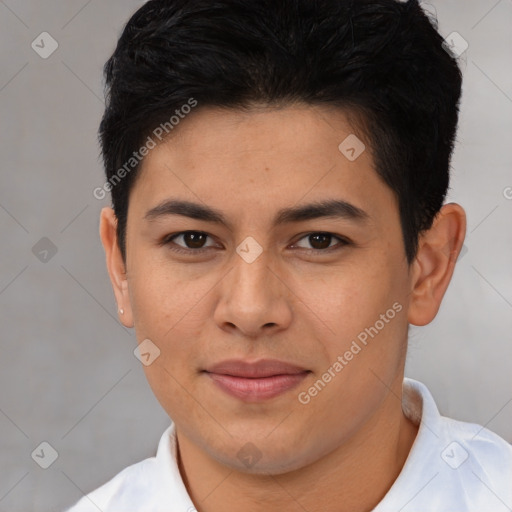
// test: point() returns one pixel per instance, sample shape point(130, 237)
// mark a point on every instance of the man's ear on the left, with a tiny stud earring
point(115, 265)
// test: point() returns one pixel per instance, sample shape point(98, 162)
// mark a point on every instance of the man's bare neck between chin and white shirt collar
point(354, 477)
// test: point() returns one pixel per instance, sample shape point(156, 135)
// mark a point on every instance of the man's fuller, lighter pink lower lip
point(256, 390)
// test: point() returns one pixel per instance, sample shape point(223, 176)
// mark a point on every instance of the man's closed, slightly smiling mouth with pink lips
point(256, 381)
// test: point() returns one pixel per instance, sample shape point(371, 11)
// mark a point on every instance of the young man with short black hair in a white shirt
point(278, 171)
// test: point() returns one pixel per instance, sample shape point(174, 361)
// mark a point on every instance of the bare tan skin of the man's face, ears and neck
point(343, 450)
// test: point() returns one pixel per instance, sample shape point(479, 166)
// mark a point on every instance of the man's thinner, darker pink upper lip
point(255, 369)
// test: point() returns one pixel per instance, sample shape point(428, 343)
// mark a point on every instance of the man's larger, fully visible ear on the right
point(433, 267)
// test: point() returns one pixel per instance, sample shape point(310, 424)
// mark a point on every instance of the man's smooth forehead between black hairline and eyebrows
point(263, 160)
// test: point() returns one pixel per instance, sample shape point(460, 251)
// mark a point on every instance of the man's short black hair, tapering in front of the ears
point(382, 60)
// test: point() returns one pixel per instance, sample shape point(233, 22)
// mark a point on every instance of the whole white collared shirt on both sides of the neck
point(453, 466)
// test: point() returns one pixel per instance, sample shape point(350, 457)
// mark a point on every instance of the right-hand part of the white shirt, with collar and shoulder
point(452, 465)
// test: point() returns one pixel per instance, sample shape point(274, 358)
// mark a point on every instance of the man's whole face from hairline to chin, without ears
point(278, 303)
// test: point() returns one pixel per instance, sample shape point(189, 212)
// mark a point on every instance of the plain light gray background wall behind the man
point(67, 371)
